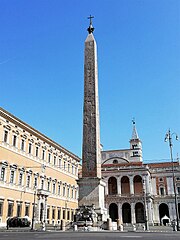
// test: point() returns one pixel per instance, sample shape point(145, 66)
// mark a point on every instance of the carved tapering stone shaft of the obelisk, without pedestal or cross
point(91, 136)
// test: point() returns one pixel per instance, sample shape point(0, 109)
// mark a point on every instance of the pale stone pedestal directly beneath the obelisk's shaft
point(91, 192)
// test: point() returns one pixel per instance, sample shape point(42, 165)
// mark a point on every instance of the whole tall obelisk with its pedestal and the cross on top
point(91, 186)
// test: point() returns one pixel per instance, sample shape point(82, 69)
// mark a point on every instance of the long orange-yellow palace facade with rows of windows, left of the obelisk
point(37, 176)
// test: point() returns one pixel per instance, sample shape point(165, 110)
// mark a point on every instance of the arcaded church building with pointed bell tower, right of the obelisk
point(137, 192)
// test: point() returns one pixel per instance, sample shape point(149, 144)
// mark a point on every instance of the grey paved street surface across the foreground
point(89, 235)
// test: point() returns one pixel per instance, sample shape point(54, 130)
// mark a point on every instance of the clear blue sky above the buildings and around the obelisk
point(41, 69)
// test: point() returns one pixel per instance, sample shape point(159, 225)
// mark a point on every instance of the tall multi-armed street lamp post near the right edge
point(168, 137)
